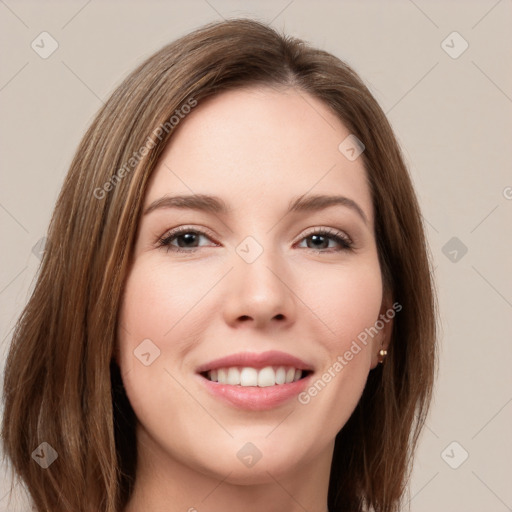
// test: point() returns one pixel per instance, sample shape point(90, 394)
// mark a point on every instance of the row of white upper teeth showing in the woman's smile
point(247, 376)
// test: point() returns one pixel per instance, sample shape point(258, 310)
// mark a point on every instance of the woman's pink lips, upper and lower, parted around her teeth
point(253, 397)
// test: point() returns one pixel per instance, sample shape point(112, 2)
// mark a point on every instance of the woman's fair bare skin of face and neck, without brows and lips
point(256, 148)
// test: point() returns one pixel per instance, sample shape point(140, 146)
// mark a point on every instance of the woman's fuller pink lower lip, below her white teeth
point(254, 398)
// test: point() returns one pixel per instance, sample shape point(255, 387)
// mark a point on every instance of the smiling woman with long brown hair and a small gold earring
point(235, 308)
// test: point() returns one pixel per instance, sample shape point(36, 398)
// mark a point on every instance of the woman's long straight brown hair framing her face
point(61, 385)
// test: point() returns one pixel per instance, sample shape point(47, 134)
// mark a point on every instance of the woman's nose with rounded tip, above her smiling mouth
point(259, 294)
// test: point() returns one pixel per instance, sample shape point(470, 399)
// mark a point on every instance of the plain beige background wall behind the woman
point(452, 116)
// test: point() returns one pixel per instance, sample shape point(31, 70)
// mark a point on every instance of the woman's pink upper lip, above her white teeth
point(255, 360)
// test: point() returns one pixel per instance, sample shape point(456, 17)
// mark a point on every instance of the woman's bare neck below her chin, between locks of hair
point(164, 484)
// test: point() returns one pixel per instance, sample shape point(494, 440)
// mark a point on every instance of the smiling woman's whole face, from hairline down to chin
point(261, 280)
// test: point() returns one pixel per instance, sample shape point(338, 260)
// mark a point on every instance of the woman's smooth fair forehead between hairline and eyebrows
point(257, 147)
